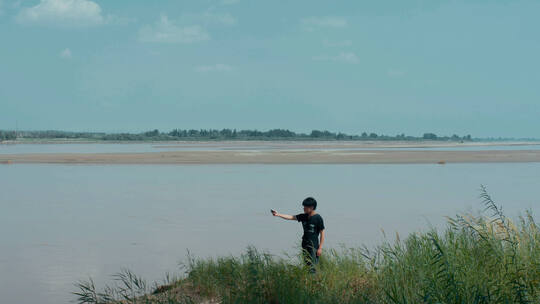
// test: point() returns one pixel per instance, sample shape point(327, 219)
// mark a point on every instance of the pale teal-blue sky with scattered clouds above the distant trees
point(391, 67)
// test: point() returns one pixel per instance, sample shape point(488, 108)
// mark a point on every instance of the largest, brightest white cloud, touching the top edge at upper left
point(63, 13)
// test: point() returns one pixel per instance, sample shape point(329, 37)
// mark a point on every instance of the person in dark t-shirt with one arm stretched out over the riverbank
point(313, 225)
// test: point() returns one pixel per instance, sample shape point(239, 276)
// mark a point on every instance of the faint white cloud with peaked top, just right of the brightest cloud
point(165, 31)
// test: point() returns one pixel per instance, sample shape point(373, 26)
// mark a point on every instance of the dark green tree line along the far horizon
point(223, 134)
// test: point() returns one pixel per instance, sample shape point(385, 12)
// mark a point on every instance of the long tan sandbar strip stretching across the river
point(279, 157)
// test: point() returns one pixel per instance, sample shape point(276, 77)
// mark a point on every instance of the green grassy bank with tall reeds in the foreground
point(485, 259)
